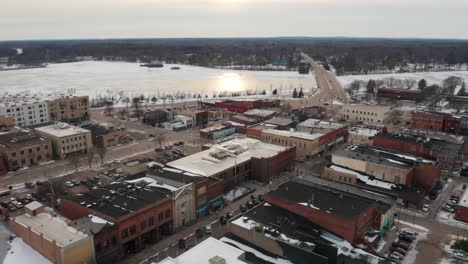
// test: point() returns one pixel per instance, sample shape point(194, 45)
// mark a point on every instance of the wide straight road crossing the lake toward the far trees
point(330, 87)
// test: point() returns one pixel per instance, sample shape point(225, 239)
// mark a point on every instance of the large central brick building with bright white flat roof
point(238, 160)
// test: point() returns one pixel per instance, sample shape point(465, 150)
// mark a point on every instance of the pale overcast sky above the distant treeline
point(65, 19)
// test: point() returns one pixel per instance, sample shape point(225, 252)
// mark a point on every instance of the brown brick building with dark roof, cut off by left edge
point(20, 149)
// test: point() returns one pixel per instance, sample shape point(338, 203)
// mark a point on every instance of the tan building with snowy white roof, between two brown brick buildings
point(66, 139)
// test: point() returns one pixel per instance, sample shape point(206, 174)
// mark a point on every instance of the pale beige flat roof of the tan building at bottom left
point(54, 228)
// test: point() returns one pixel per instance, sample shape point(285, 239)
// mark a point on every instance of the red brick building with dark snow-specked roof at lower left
point(138, 215)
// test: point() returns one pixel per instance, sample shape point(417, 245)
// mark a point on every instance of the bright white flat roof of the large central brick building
point(221, 157)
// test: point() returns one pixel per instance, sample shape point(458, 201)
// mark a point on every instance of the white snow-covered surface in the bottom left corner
point(21, 252)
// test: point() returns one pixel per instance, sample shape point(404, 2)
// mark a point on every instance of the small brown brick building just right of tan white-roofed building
point(105, 136)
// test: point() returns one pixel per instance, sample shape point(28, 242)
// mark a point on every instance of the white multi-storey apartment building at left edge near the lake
point(26, 112)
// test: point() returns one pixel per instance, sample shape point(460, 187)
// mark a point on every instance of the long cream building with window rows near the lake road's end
point(376, 114)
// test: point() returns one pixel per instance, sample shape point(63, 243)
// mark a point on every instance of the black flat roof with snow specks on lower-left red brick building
point(120, 198)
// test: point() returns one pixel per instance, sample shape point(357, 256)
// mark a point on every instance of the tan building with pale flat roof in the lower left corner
point(51, 236)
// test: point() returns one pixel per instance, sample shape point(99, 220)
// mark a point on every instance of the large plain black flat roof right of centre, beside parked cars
point(334, 202)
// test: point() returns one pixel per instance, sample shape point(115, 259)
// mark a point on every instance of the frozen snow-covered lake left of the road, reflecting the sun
point(96, 77)
